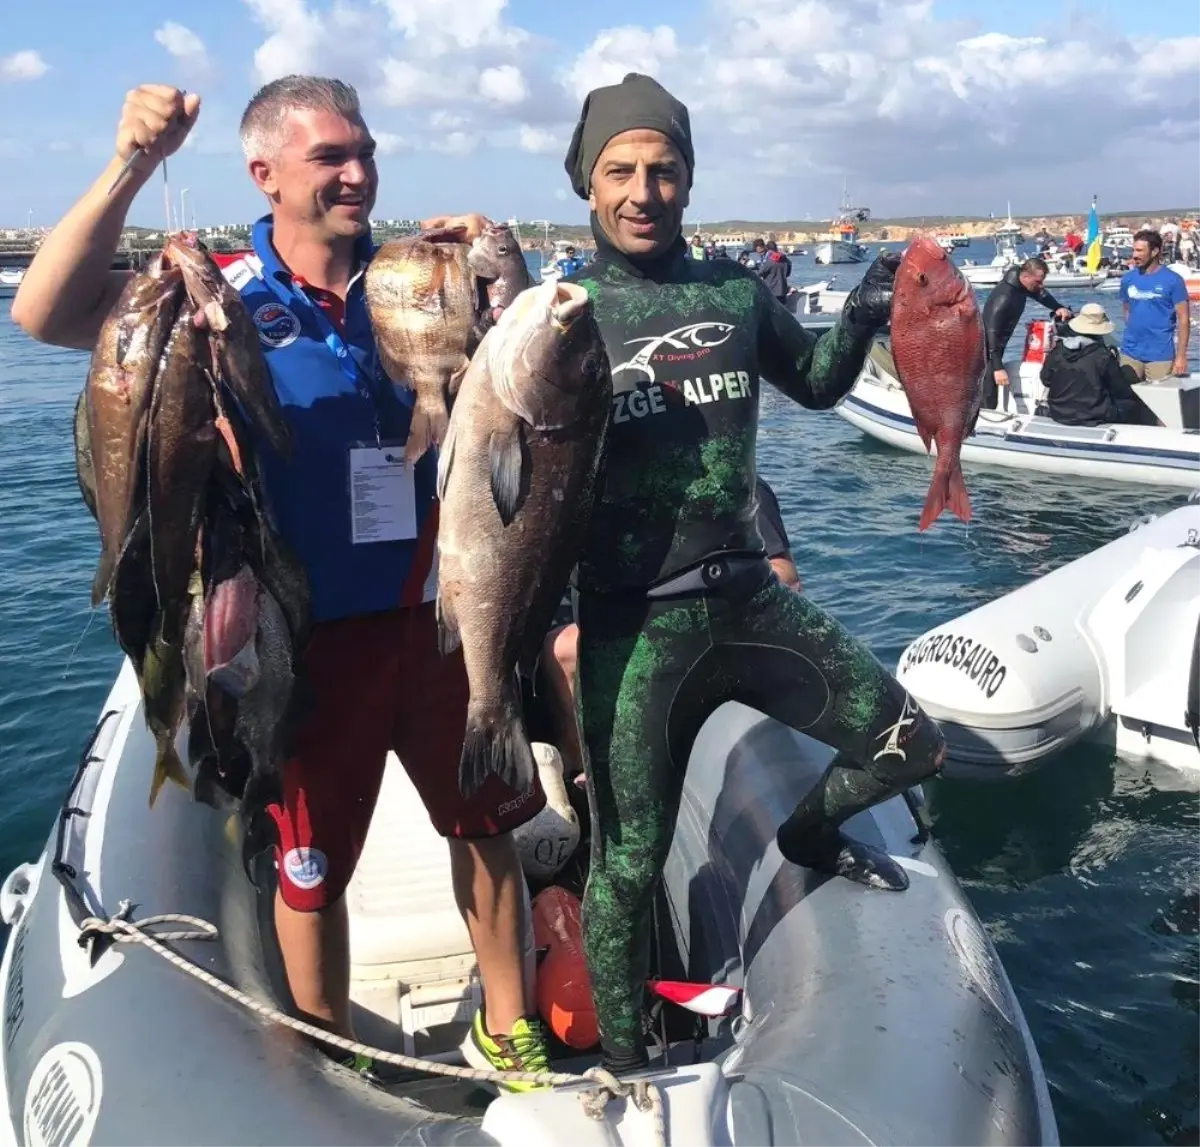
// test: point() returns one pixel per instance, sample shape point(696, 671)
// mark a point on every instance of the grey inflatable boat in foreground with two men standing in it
point(849, 1018)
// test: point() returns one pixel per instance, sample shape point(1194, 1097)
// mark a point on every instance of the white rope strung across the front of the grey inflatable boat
point(643, 1094)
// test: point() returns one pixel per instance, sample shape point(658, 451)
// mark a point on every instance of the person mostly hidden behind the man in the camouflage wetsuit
point(550, 705)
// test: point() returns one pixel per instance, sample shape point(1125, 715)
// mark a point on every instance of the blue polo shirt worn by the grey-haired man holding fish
point(333, 389)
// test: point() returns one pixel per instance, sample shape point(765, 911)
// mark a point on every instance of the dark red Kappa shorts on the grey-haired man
point(377, 683)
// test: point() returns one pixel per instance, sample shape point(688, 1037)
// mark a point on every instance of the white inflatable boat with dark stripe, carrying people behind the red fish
point(1016, 436)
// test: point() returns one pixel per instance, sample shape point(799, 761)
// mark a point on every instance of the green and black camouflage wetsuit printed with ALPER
point(680, 610)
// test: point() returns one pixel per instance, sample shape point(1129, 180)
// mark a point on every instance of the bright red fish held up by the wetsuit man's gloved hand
point(938, 346)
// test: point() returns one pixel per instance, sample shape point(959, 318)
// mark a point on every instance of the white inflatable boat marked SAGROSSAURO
point(1105, 648)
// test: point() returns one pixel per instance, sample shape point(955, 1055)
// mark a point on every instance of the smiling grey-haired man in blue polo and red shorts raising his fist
point(376, 678)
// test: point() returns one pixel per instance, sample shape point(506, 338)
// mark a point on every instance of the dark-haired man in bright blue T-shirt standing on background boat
point(1157, 322)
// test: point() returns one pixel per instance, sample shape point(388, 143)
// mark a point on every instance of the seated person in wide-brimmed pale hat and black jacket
point(1085, 383)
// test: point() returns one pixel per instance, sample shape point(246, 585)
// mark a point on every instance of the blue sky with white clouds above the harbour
point(922, 106)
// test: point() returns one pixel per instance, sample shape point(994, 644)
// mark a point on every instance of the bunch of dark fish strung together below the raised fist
point(205, 599)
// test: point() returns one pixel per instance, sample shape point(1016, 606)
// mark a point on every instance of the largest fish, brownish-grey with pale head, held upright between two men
point(518, 479)
